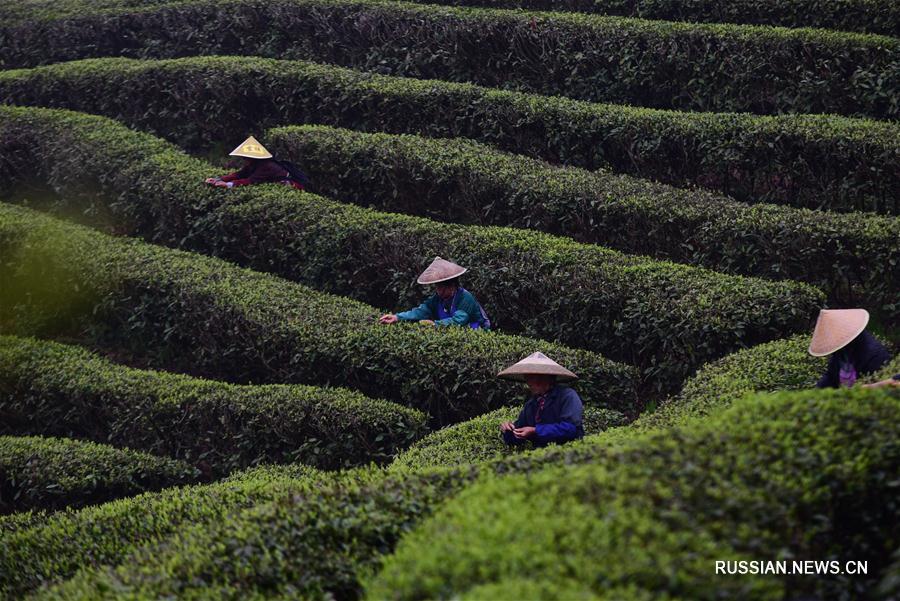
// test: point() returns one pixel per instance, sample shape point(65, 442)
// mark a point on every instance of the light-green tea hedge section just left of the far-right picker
point(778, 365)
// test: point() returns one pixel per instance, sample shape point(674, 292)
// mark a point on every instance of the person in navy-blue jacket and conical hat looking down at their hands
point(553, 413)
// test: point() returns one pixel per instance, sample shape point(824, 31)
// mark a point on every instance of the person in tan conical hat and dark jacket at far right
point(854, 352)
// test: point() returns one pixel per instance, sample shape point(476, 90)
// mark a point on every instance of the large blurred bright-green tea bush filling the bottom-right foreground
point(809, 475)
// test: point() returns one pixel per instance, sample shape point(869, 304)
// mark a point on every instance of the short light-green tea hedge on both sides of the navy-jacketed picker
point(479, 440)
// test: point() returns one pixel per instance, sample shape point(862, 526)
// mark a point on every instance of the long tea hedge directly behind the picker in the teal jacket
point(623, 306)
